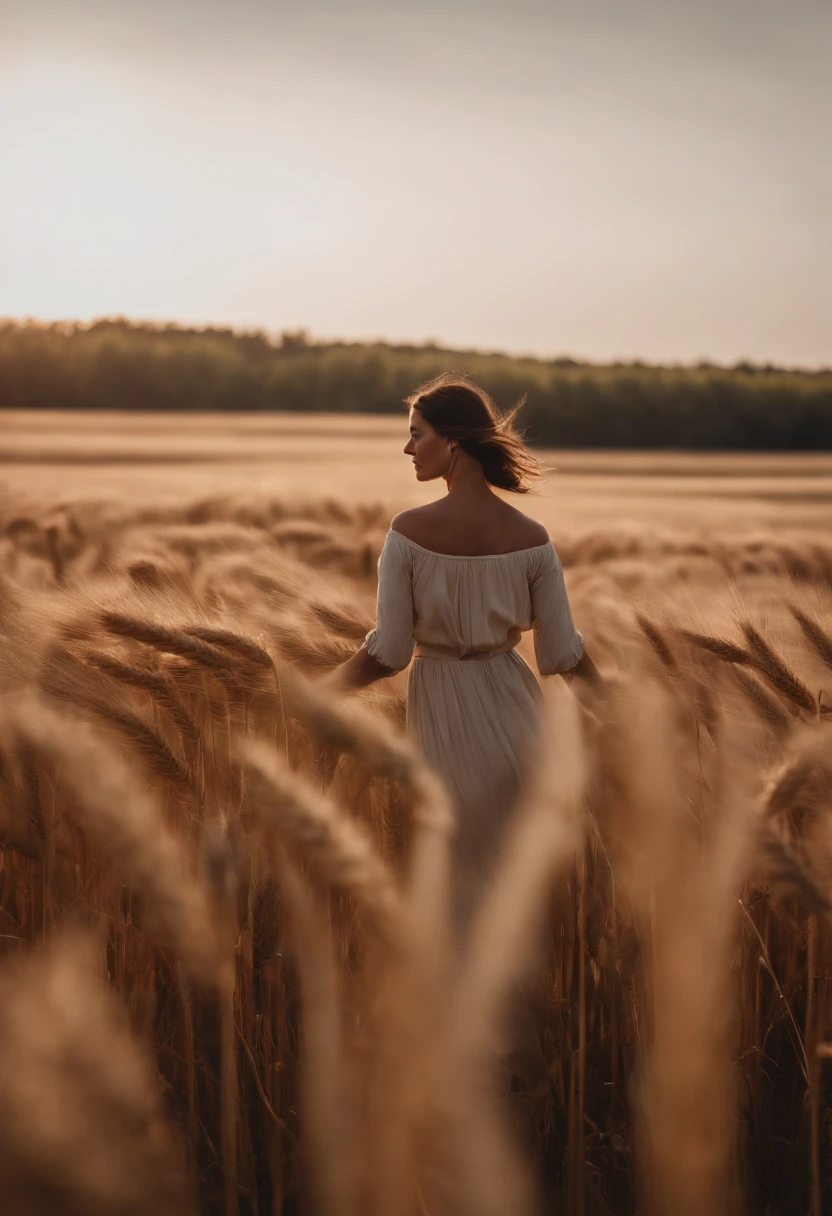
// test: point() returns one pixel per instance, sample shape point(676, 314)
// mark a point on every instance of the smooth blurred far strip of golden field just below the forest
point(359, 459)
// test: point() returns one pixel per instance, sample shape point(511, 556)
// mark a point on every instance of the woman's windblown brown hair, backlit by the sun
point(463, 412)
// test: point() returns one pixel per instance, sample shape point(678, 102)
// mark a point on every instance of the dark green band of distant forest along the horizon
point(121, 365)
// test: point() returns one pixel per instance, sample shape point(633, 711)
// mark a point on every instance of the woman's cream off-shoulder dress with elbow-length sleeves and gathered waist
point(474, 705)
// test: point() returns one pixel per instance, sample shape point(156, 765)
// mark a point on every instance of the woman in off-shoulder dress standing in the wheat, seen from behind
point(459, 582)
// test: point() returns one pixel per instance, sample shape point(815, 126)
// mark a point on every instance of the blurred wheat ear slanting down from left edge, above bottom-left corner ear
point(110, 803)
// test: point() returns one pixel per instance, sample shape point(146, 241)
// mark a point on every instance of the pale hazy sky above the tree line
point(599, 179)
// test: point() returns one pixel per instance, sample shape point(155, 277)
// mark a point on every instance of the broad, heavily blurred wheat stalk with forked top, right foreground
point(689, 899)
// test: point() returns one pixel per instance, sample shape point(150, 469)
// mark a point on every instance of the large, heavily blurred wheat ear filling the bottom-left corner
point(104, 1144)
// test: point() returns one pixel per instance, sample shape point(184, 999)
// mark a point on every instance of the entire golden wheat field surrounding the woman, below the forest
point(228, 977)
